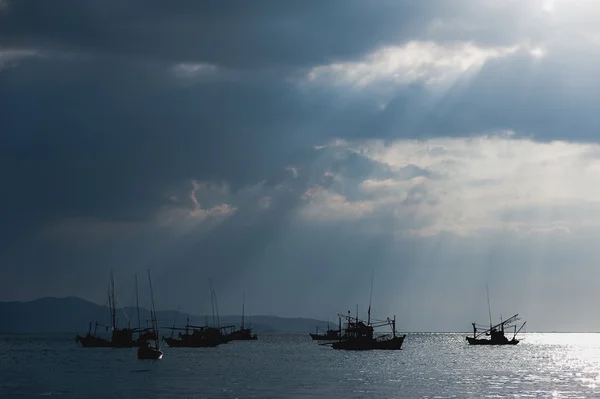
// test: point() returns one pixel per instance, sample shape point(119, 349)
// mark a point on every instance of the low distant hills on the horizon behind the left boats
point(72, 315)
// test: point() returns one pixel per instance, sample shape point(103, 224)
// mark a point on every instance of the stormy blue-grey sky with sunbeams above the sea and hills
point(288, 150)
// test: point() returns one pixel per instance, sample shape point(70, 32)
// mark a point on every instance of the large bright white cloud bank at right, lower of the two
point(467, 185)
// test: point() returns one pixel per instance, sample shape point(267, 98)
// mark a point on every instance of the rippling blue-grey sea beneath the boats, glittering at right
point(430, 365)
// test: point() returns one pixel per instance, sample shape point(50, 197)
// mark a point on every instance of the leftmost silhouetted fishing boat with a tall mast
point(120, 337)
